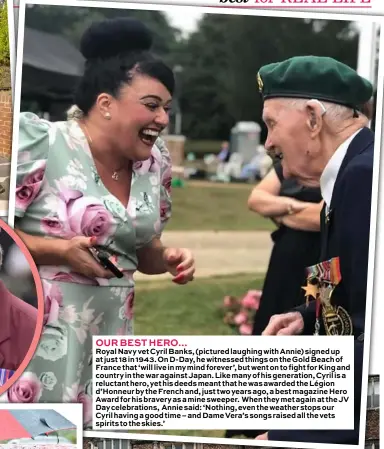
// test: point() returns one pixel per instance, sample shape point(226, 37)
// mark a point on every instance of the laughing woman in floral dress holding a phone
point(99, 180)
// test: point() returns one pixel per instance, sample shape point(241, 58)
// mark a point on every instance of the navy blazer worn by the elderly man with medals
point(345, 236)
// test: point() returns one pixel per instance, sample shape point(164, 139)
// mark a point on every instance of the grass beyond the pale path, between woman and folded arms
point(214, 207)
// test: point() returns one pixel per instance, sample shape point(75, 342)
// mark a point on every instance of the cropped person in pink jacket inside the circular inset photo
point(18, 324)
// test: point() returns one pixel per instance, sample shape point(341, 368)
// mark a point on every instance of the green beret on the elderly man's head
point(314, 77)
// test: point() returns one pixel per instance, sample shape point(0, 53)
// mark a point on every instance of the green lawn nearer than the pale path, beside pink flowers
point(163, 308)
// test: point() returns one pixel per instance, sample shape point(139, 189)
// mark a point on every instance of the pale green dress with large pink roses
point(59, 194)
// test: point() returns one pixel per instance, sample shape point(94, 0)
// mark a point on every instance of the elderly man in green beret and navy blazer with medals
point(312, 111)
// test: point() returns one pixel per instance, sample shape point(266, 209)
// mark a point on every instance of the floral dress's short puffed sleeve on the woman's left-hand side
point(31, 160)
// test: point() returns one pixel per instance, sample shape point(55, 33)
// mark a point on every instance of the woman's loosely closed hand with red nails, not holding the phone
point(180, 263)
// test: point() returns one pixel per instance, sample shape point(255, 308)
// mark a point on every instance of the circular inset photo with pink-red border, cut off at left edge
point(22, 307)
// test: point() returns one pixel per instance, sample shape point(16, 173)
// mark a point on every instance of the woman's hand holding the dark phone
point(75, 253)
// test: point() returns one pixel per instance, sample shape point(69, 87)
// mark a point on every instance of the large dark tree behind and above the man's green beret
point(222, 58)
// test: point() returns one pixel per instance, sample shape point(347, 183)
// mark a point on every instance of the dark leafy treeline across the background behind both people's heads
point(217, 85)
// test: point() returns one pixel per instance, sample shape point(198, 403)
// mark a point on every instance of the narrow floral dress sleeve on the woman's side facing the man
point(165, 184)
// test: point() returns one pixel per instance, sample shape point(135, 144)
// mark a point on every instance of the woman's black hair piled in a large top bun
point(115, 50)
